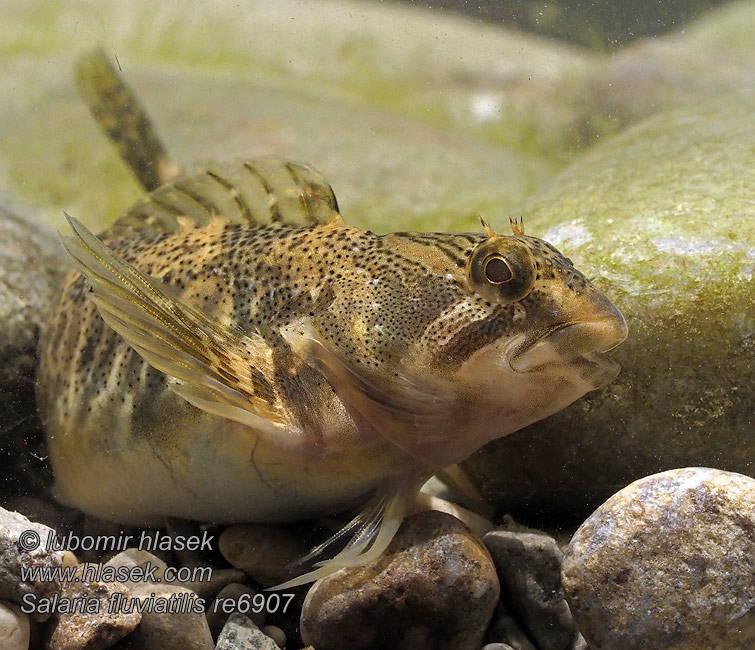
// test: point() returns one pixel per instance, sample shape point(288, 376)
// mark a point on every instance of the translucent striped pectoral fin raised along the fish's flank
point(217, 366)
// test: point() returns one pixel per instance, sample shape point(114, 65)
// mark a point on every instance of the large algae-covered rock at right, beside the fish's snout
point(663, 218)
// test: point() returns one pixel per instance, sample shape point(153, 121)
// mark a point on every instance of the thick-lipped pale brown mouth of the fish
point(576, 343)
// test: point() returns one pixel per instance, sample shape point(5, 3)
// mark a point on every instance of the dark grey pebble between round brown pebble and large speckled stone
point(529, 567)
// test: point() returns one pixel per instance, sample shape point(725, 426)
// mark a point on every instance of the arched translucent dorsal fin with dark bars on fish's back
point(257, 191)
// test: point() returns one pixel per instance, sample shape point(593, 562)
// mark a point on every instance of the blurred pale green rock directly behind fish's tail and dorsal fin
point(389, 172)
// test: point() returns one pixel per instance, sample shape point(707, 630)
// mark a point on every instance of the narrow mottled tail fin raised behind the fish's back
point(115, 107)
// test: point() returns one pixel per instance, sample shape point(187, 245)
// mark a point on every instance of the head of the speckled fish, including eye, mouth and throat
point(521, 334)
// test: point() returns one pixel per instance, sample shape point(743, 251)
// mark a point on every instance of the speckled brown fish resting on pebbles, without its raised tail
point(208, 367)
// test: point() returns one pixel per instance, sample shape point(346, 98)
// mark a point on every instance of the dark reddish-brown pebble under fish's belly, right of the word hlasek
point(262, 551)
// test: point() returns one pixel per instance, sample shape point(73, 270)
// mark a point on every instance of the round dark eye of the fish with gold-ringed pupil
point(501, 269)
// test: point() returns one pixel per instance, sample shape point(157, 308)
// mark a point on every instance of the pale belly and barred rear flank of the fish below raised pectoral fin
point(125, 447)
